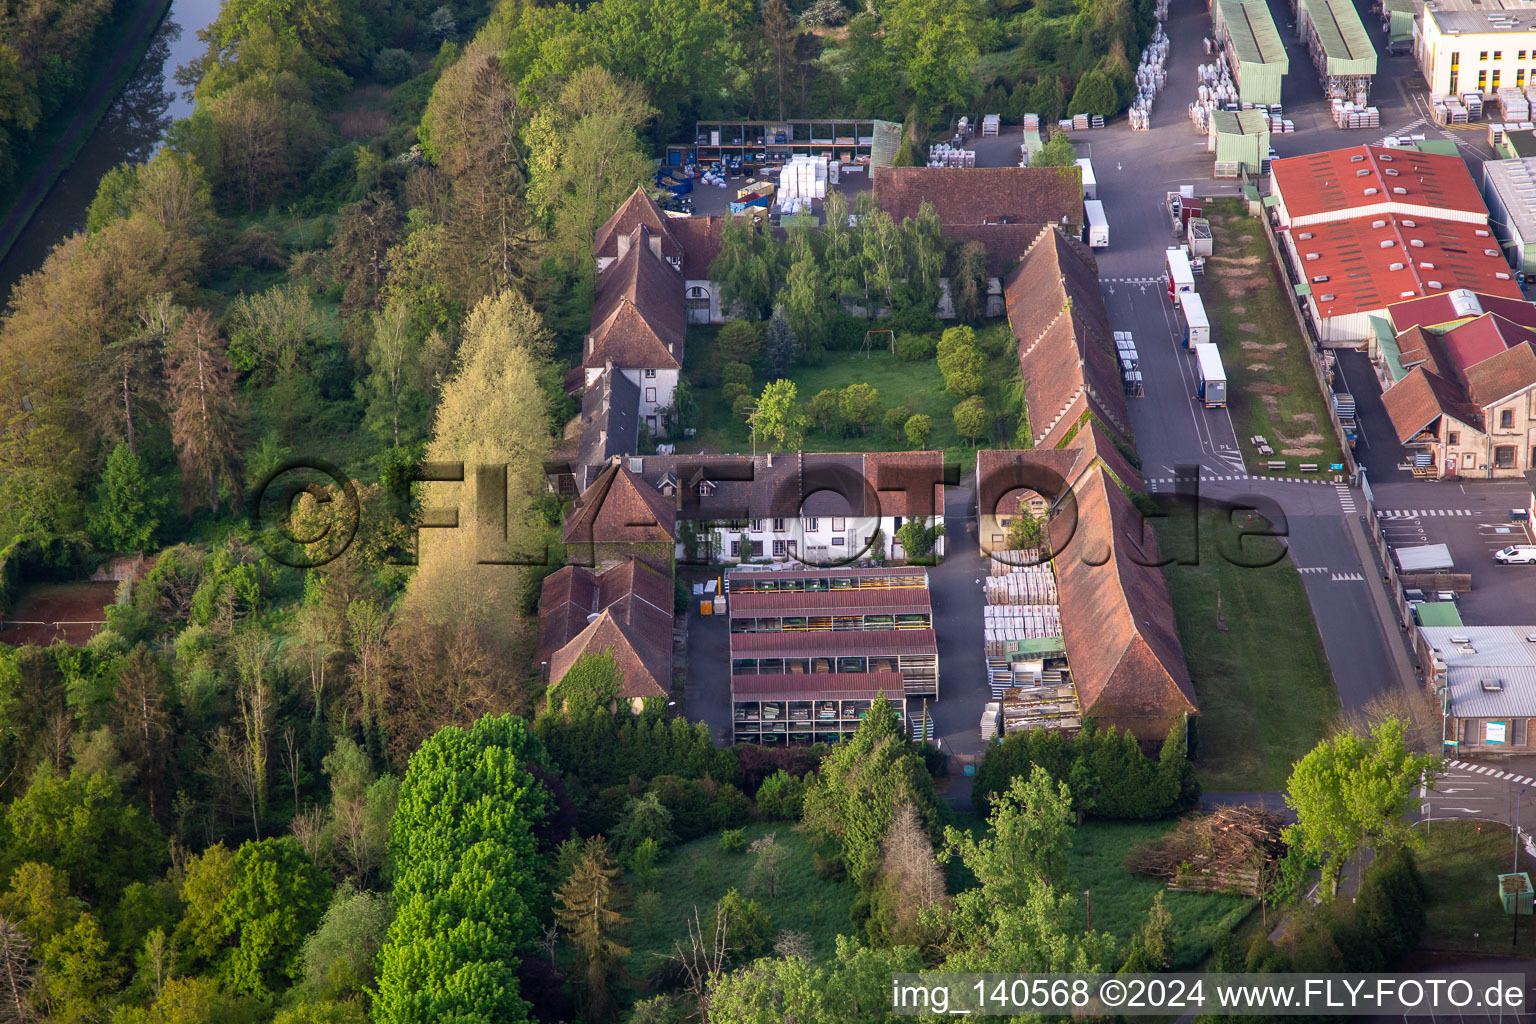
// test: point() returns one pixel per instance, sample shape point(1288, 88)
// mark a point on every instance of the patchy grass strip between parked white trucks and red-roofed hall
point(1271, 388)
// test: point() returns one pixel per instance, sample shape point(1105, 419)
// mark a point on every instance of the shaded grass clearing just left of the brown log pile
point(1121, 900)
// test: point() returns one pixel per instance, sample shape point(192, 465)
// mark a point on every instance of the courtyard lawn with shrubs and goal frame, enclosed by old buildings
point(918, 386)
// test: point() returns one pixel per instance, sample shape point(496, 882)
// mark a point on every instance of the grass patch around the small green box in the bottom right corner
point(1460, 870)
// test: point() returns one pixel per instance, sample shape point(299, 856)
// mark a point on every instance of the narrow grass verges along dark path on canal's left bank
point(42, 148)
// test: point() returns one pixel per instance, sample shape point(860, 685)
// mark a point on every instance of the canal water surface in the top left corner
point(131, 130)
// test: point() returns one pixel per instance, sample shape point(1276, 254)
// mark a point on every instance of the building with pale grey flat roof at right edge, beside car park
point(1486, 682)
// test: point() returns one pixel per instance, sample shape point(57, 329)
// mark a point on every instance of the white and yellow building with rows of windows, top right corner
point(1477, 45)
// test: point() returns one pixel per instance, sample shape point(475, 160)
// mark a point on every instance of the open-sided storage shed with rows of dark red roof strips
point(813, 649)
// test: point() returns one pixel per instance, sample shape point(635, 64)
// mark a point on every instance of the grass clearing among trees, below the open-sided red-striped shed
point(698, 874)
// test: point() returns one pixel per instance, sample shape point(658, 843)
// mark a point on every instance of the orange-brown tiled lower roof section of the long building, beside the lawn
point(1117, 619)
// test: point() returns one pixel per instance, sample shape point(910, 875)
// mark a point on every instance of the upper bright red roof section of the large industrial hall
point(1329, 183)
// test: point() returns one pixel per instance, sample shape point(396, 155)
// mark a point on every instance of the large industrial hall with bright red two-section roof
point(1369, 226)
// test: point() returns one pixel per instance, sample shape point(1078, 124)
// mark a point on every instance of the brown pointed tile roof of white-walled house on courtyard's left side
point(638, 320)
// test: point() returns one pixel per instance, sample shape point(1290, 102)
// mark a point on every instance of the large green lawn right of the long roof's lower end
point(1265, 687)
